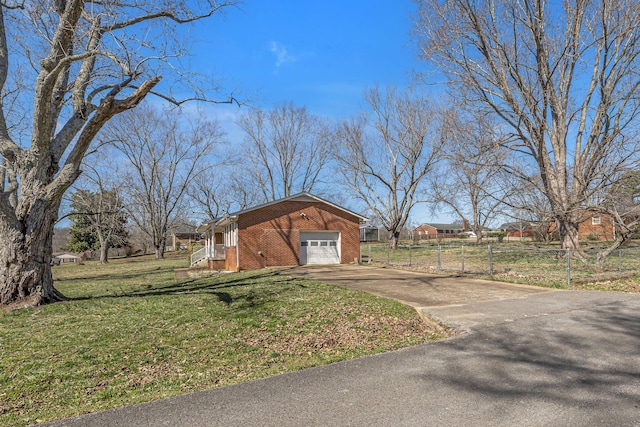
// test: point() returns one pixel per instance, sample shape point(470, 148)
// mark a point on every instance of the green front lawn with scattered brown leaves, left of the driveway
point(131, 334)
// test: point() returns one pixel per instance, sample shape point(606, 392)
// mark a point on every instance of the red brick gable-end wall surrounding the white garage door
point(270, 236)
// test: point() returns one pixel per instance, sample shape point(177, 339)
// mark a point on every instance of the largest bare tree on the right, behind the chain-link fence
point(561, 76)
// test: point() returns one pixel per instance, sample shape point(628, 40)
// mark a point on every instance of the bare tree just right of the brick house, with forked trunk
point(385, 156)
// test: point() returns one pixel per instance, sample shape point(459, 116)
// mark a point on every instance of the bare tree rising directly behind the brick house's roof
point(287, 149)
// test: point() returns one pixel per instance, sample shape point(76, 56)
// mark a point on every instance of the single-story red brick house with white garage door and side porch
point(297, 230)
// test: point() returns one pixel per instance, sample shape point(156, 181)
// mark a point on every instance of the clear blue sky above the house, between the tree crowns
point(319, 54)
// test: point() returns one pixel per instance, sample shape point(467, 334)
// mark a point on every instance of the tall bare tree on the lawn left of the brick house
point(162, 151)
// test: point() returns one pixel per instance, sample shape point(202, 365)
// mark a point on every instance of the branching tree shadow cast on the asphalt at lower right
point(588, 359)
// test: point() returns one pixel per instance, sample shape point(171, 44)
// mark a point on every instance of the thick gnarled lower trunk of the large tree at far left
point(25, 259)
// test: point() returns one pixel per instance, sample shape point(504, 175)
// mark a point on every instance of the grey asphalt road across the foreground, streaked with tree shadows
point(562, 358)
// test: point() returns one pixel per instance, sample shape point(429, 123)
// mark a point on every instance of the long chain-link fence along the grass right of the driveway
point(551, 266)
